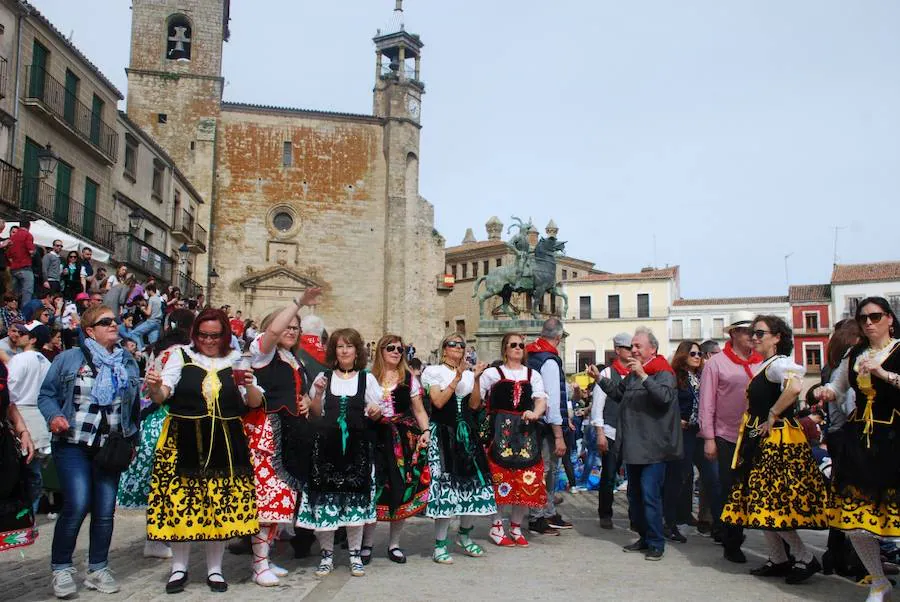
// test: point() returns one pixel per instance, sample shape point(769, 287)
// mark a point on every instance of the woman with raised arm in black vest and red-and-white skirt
point(277, 432)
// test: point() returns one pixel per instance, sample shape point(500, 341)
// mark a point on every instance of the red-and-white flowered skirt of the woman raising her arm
point(274, 498)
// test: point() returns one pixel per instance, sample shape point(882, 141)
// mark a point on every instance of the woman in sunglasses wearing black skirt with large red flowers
point(401, 463)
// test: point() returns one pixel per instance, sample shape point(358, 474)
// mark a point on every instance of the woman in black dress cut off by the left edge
point(16, 515)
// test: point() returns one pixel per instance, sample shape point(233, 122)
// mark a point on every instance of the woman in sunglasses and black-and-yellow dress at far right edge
point(866, 485)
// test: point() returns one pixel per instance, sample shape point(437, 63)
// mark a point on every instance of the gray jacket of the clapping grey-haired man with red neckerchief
point(649, 418)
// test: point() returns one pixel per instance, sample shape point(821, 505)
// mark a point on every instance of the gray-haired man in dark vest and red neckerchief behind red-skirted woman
point(543, 357)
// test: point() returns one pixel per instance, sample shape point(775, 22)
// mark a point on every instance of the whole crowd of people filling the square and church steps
point(223, 430)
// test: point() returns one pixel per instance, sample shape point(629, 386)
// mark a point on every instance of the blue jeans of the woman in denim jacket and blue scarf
point(85, 489)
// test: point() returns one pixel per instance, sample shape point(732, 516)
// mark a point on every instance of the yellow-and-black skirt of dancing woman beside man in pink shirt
point(778, 485)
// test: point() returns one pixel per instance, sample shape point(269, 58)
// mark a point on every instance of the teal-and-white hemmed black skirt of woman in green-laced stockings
point(457, 494)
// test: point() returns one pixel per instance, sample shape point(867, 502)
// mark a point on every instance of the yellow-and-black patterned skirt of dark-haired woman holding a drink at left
point(215, 501)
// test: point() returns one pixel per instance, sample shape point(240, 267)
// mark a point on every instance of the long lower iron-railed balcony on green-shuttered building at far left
point(56, 206)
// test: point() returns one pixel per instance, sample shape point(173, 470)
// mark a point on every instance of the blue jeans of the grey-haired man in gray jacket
point(645, 506)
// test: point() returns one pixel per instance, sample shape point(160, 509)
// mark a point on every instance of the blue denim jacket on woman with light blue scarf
point(57, 396)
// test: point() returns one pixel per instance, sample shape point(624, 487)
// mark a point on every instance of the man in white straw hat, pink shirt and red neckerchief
point(723, 402)
